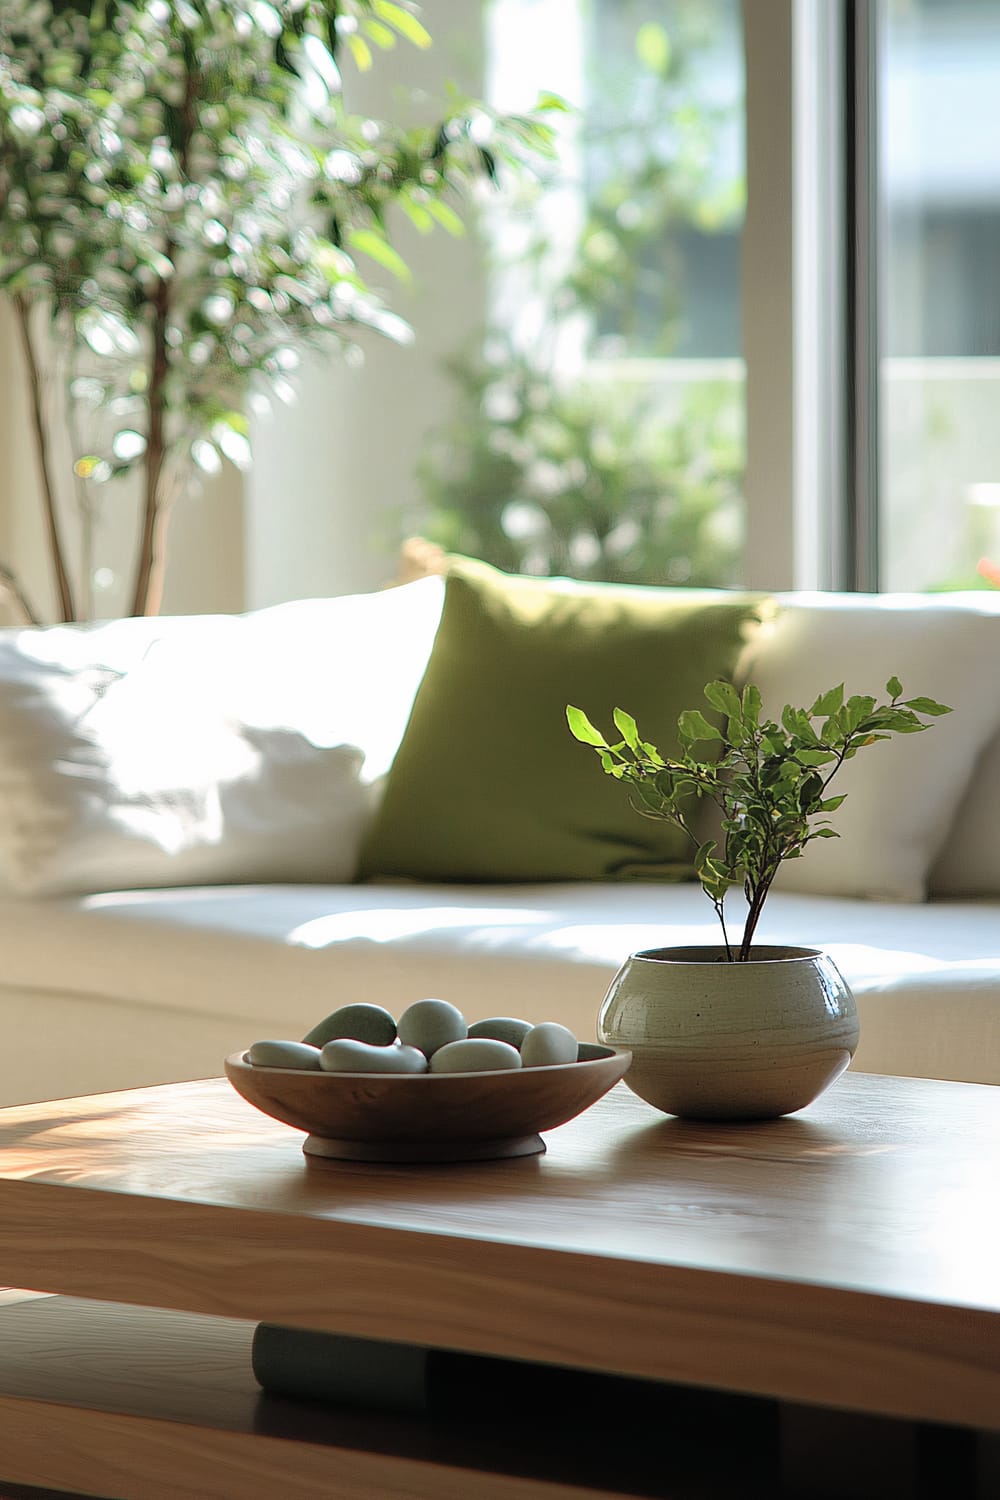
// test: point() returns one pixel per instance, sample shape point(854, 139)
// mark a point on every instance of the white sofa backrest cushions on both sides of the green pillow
point(317, 677)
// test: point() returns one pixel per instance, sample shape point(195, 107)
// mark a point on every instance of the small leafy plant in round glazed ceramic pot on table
point(741, 1031)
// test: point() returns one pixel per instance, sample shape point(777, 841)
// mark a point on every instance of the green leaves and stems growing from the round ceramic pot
point(768, 781)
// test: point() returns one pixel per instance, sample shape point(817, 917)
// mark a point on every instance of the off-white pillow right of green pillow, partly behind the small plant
point(902, 794)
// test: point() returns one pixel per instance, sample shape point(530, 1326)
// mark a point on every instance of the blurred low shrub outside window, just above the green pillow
point(585, 479)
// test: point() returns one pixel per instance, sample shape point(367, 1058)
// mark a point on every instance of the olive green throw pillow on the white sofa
point(490, 784)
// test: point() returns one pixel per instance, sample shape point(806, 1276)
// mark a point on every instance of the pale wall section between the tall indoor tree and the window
point(332, 472)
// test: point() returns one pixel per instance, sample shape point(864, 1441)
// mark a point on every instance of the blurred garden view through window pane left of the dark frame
point(597, 425)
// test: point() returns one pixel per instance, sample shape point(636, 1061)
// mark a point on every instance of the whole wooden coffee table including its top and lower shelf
point(842, 1261)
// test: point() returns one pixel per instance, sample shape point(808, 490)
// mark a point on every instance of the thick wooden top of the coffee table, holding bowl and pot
point(813, 1256)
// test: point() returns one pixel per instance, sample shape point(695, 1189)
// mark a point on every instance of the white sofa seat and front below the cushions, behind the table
point(149, 986)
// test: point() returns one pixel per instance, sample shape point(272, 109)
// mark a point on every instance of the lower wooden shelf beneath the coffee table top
point(146, 1405)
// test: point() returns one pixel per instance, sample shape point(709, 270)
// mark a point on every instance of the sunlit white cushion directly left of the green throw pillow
point(205, 751)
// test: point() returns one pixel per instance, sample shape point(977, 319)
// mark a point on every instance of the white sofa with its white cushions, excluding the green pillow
point(184, 805)
